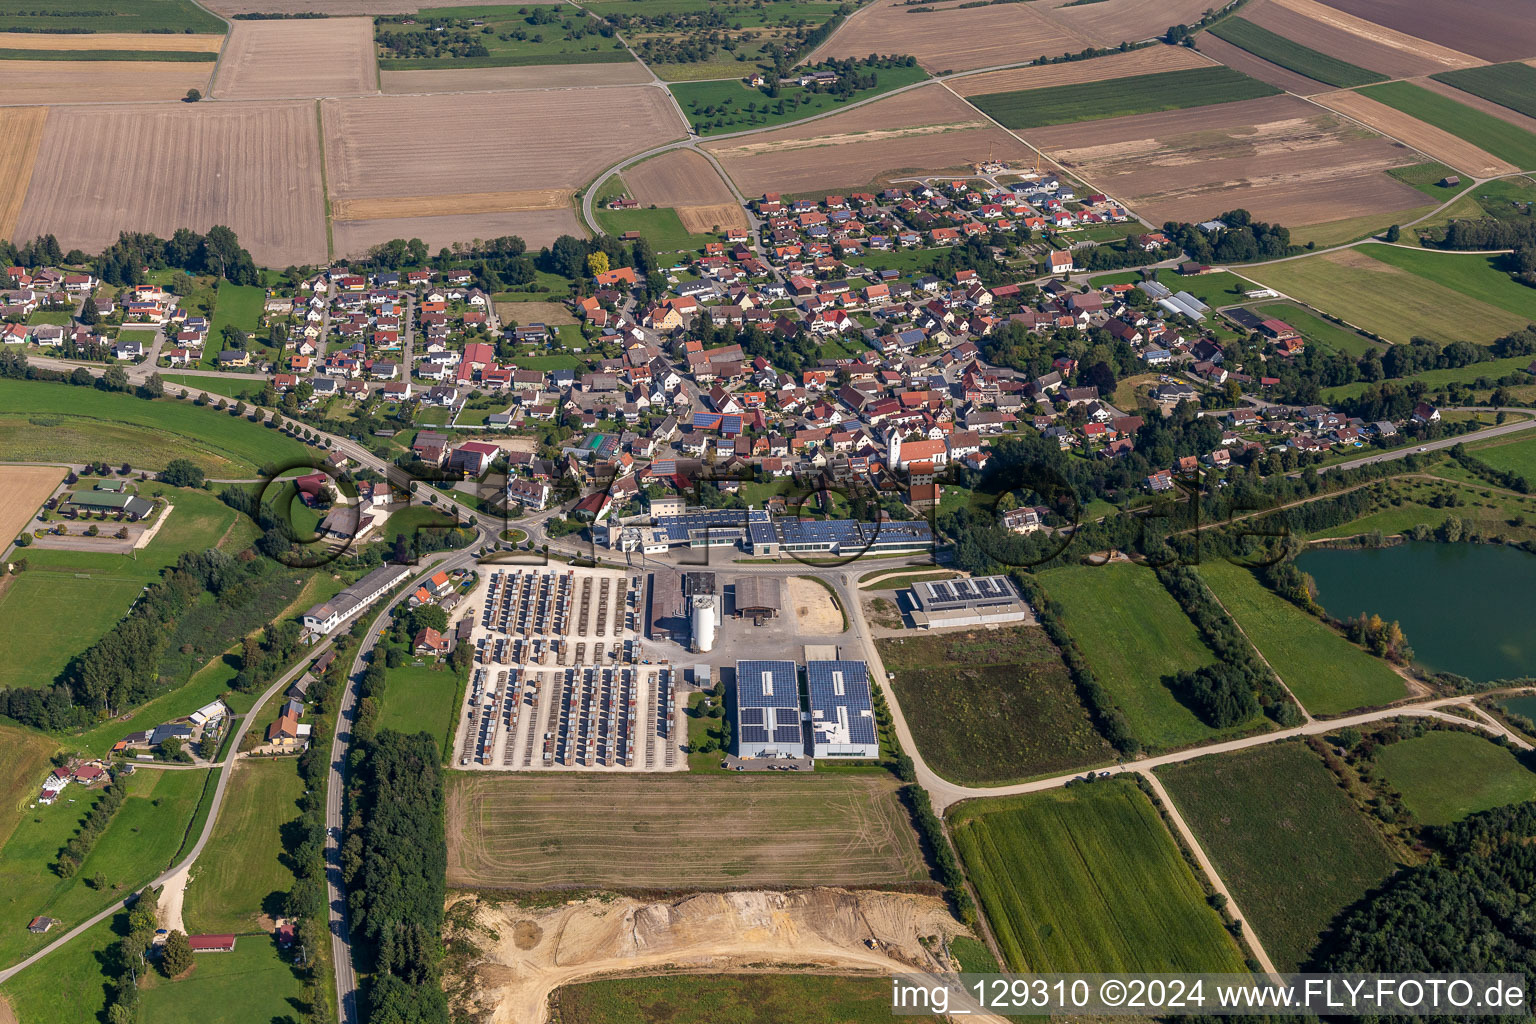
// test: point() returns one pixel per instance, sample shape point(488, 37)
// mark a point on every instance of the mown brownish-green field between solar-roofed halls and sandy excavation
point(666, 831)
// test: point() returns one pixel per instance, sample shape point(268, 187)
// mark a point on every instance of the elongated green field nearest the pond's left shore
point(1323, 670)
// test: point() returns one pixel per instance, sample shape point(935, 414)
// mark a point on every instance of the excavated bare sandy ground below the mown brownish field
point(528, 954)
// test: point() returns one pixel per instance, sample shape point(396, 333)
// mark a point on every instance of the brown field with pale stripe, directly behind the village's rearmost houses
point(924, 131)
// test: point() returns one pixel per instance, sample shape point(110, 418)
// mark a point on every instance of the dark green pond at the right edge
point(1468, 609)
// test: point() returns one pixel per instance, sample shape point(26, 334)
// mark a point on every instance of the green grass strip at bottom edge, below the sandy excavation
point(778, 999)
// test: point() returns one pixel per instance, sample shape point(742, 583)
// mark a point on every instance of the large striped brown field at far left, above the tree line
point(182, 167)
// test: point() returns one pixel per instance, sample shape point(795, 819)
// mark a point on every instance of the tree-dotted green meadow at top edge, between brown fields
point(518, 38)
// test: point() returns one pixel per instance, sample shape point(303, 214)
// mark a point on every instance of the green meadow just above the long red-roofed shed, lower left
point(242, 873)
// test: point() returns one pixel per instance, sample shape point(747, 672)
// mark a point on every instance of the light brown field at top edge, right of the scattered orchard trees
point(950, 39)
